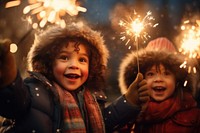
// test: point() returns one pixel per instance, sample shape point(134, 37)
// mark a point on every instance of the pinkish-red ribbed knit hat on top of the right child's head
point(161, 43)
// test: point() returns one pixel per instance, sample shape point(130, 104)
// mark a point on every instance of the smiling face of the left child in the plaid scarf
point(71, 67)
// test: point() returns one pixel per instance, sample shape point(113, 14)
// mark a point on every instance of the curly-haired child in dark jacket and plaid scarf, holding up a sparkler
point(64, 92)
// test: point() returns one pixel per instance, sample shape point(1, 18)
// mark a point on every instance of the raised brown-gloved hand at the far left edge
point(8, 69)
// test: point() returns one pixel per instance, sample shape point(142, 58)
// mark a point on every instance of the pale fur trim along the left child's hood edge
point(72, 30)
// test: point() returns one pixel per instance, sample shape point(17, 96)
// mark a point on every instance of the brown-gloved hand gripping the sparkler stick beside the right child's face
point(137, 92)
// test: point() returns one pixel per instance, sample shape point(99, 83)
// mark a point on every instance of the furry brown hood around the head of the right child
point(129, 68)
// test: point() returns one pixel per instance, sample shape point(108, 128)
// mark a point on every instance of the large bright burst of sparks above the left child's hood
point(49, 11)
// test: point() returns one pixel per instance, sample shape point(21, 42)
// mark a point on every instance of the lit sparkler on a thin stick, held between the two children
point(135, 28)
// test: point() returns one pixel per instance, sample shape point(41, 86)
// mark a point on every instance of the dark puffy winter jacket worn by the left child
point(36, 108)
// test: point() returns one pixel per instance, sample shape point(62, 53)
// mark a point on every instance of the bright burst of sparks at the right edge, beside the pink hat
point(190, 45)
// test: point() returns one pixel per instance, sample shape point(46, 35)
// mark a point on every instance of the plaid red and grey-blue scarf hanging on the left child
point(73, 119)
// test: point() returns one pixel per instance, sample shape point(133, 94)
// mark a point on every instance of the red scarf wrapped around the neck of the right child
point(159, 111)
